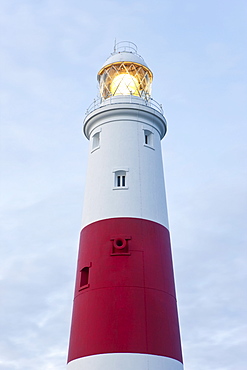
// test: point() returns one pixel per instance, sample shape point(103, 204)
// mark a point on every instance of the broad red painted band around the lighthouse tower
point(128, 303)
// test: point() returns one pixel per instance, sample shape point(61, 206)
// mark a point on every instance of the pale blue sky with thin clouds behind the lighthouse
point(51, 52)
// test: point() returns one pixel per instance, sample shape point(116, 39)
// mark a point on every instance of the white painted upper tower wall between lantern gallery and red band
point(122, 147)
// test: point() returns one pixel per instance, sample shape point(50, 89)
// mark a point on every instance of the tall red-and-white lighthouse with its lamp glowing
point(125, 310)
